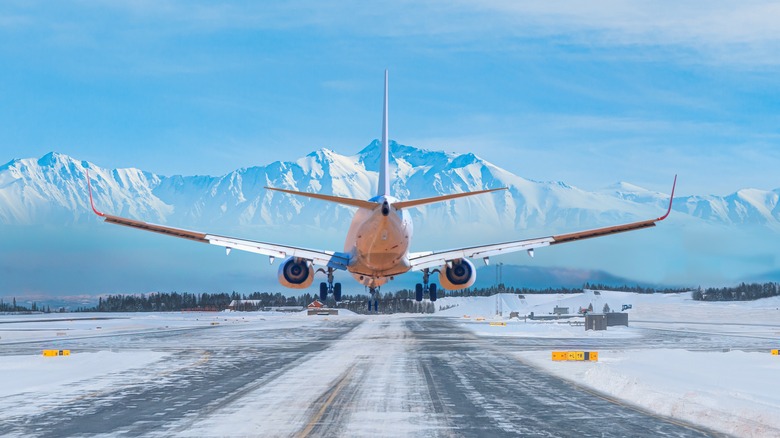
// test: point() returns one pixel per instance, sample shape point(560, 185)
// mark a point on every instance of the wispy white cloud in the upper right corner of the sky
point(663, 22)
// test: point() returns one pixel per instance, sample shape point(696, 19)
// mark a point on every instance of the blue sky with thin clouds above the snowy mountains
point(589, 93)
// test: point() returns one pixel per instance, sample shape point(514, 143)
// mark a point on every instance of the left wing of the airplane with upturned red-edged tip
point(332, 259)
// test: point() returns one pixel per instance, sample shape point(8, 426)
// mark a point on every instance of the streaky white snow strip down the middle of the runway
point(384, 401)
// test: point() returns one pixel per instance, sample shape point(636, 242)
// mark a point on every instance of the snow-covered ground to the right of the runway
point(728, 391)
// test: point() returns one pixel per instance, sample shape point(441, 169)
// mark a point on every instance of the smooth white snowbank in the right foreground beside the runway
point(732, 392)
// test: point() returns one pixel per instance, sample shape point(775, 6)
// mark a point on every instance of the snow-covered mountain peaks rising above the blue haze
point(52, 190)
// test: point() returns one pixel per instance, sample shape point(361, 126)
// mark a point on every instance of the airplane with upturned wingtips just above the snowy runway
point(377, 245)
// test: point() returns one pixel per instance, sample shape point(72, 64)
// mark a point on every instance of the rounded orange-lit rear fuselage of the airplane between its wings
point(378, 242)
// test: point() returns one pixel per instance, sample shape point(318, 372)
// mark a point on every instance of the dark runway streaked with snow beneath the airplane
point(345, 376)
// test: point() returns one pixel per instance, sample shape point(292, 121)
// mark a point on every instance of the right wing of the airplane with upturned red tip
point(430, 259)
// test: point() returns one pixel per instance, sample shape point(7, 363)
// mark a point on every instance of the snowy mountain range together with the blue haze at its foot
point(706, 236)
